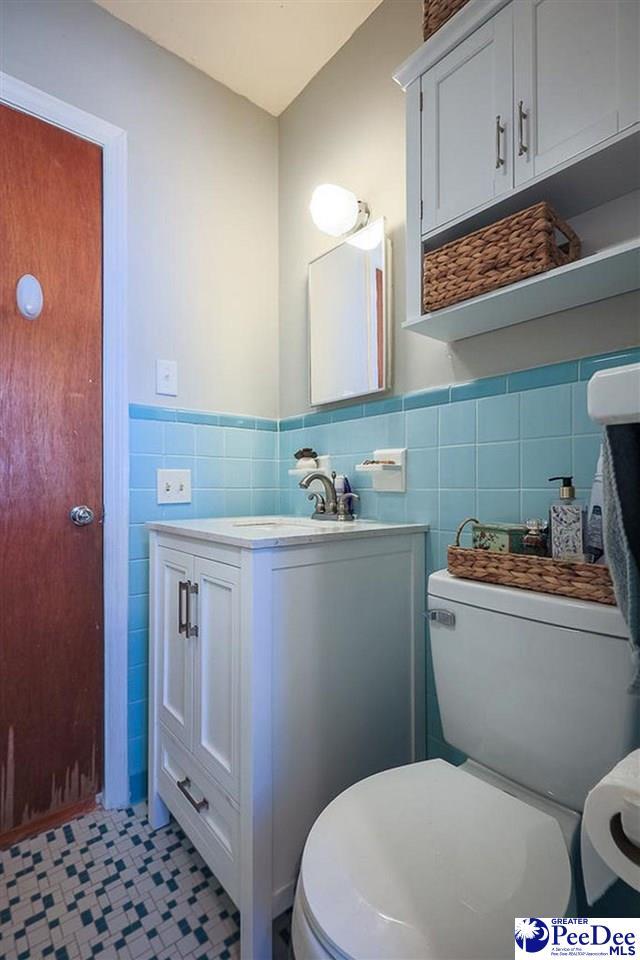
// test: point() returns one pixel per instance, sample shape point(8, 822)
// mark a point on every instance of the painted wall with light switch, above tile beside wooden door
point(203, 213)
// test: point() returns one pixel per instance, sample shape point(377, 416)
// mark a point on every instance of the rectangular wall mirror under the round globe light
point(348, 318)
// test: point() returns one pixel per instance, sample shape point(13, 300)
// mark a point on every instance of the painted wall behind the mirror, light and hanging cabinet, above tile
point(347, 127)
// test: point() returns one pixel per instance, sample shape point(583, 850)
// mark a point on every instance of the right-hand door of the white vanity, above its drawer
point(216, 672)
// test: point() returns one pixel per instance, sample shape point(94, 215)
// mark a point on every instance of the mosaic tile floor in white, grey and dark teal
point(108, 885)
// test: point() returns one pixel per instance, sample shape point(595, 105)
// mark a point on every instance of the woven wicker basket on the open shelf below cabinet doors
point(505, 252)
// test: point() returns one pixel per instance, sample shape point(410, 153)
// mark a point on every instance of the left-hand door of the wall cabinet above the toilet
point(467, 133)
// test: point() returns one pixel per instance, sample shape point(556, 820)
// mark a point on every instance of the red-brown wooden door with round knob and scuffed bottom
point(51, 608)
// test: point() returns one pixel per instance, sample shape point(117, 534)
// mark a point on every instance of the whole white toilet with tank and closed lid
point(432, 861)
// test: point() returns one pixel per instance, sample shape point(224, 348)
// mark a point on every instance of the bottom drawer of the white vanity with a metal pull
point(207, 815)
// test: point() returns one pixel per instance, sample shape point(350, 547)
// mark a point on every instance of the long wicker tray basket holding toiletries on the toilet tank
point(581, 581)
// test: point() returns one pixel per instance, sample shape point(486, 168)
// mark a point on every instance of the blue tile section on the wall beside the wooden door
point(234, 470)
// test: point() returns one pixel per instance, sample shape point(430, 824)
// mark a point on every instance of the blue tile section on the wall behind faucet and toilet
point(484, 448)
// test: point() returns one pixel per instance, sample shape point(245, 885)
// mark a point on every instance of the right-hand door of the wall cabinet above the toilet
point(576, 75)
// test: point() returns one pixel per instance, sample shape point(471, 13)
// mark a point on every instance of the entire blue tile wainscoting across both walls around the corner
point(481, 448)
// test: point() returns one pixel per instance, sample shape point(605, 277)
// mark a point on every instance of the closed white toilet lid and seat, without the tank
point(428, 861)
